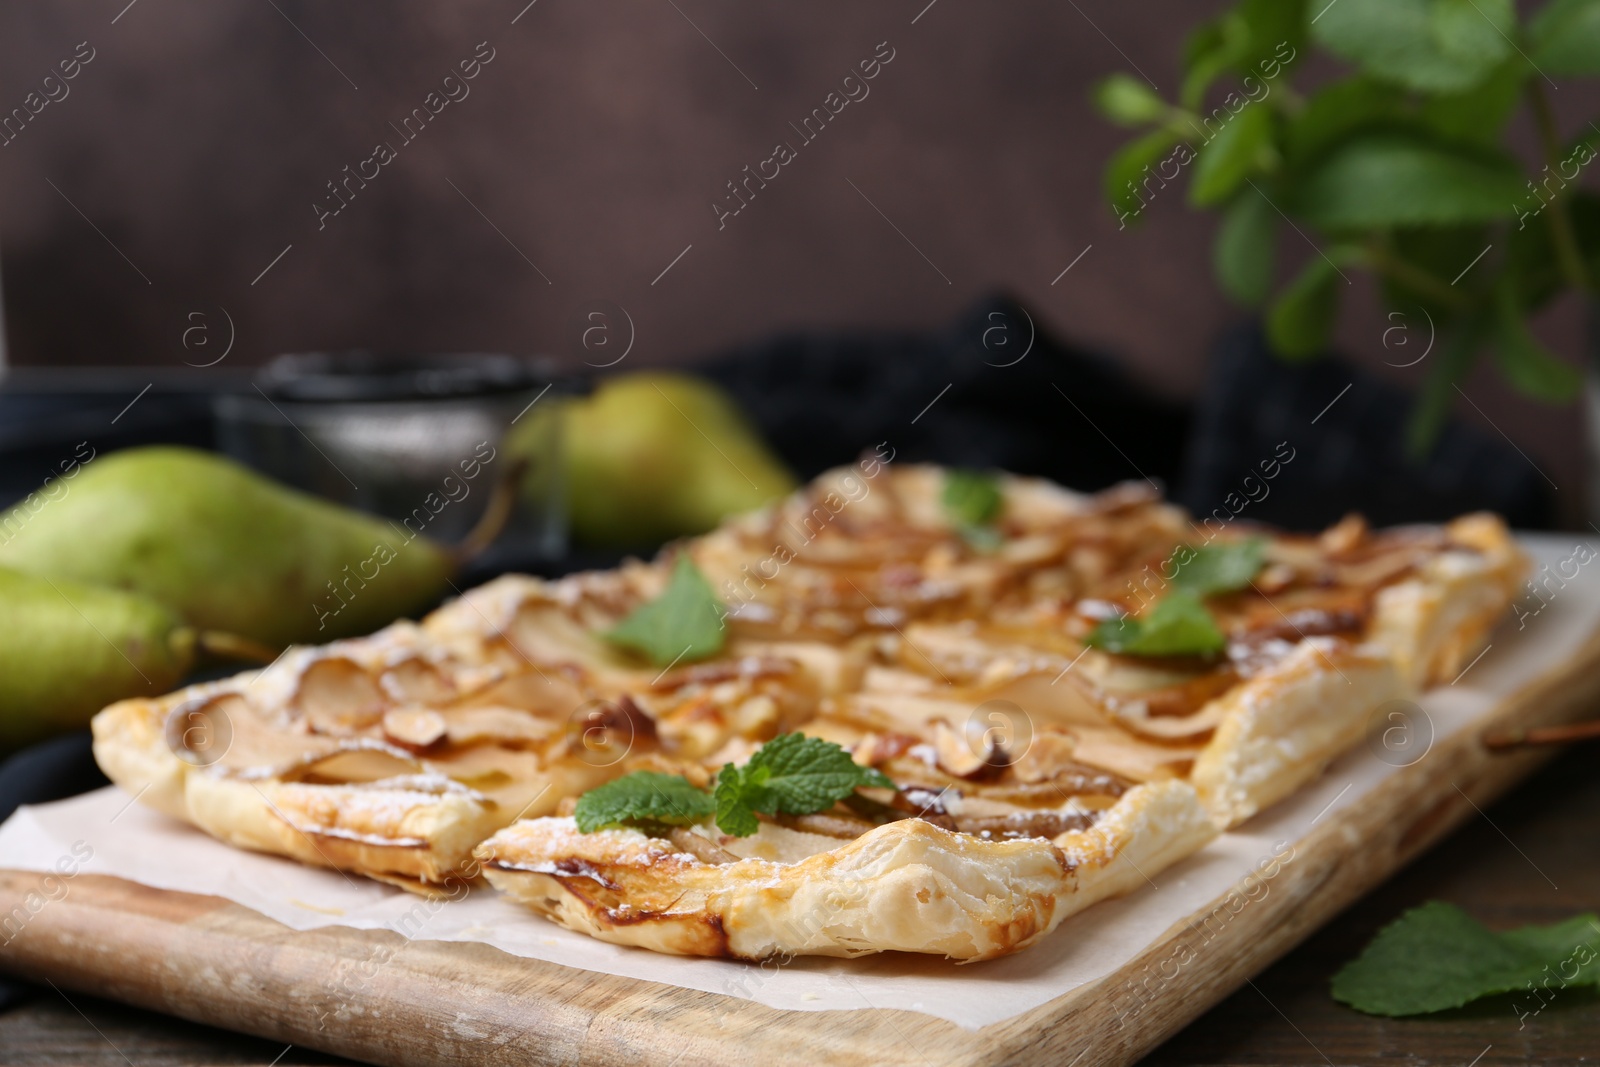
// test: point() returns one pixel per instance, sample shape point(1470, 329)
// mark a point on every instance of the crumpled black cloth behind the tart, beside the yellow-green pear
point(991, 391)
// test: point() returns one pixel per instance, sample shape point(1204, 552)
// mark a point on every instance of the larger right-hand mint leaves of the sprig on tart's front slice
point(790, 775)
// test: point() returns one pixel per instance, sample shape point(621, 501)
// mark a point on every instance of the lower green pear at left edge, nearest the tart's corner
point(68, 650)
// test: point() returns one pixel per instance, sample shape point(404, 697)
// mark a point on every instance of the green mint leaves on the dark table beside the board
point(1438, 957)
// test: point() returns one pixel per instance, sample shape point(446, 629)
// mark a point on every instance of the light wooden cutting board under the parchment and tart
point(215, 962)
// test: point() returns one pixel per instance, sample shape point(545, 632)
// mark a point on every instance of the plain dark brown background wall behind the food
point(204, 132)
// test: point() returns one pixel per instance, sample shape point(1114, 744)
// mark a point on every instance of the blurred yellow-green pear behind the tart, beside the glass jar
point(654, 457)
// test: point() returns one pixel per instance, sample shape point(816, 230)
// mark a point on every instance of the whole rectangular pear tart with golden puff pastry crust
point(436, 753)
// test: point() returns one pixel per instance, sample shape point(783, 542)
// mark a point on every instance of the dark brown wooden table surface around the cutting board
point(1534, 858)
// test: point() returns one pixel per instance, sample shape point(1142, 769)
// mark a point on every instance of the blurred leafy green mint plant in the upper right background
point(1399, 167)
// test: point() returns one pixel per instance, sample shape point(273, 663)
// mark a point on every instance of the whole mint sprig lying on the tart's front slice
point(790, 775)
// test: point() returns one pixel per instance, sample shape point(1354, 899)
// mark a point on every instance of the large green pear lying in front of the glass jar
point(226, 549)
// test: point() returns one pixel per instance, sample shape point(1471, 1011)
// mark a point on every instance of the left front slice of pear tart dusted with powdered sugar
point(396, 754)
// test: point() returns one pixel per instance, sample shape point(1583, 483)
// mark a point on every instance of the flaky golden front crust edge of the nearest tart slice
point(903, 887)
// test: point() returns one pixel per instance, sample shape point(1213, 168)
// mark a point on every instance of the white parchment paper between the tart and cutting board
point(140, 845)
